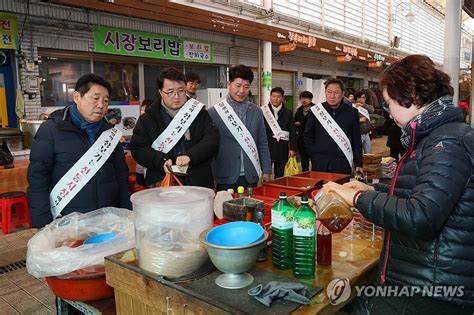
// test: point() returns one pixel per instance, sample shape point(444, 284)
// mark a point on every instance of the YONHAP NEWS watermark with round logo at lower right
point(339, 290)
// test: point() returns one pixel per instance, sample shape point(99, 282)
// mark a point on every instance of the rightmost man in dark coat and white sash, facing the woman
point(332, 135)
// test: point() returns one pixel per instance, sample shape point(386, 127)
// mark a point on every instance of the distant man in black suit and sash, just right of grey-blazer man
point(280, 149)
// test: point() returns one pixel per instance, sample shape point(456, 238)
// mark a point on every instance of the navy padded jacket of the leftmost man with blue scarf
point(57, 147)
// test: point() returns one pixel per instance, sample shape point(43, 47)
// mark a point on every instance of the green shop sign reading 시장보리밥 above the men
point(142, 44)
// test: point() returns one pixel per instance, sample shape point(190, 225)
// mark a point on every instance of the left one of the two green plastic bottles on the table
point(282, 233)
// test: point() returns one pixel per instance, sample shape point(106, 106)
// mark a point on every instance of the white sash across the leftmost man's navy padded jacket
point(83, 170)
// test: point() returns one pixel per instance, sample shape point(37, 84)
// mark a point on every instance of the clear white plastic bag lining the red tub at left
point(49, 252)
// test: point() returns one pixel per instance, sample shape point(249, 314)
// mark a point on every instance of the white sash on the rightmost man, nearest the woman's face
point(333, 129)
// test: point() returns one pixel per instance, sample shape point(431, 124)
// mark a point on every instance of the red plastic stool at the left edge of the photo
point(22, 212)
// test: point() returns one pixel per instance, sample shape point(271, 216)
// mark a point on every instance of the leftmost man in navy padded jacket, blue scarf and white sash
point(58, 182)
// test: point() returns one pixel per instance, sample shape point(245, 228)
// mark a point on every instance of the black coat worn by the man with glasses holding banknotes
point(202, 147)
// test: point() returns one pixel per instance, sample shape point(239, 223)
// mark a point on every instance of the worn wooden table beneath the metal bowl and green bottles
point(137, 291)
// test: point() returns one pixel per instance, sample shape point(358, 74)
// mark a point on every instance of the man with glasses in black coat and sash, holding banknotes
point(178, 131)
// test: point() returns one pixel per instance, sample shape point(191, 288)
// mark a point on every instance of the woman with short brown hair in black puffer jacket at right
point(428, 211)
